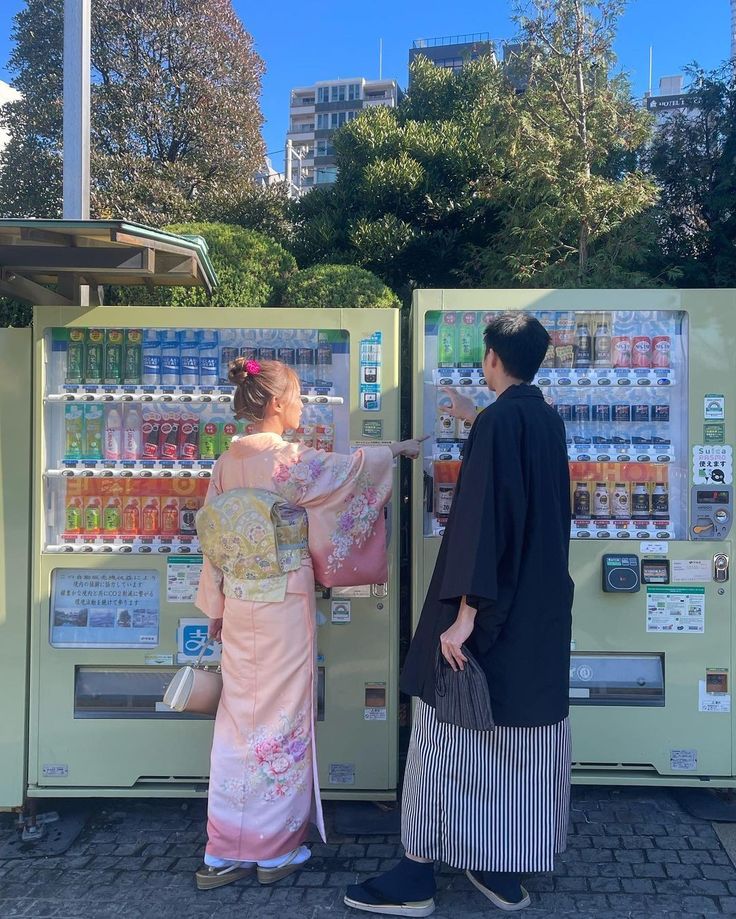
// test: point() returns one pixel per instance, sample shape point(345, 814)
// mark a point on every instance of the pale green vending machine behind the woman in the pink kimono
point(132, 408)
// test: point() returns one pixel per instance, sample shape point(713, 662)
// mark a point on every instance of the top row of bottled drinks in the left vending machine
point(190, 357)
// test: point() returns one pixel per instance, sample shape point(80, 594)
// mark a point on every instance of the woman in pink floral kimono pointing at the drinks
point(264, 790)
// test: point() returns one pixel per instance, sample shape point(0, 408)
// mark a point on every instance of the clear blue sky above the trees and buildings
point(301, 43)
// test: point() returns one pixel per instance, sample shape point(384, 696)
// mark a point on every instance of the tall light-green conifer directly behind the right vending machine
point(568, 189)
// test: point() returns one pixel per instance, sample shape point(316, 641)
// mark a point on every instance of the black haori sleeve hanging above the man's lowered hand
point(488, 514)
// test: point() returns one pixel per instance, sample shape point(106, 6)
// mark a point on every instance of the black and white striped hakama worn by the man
point(486, 801)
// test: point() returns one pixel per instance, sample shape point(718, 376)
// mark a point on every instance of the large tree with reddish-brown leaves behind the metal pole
point(175, 115)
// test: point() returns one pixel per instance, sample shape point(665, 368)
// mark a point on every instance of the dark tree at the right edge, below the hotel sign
point(693, 158)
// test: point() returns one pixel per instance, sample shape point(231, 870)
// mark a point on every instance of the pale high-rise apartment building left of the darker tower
point(315, 113)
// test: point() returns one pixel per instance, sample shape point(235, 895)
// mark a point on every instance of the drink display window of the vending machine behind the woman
point(135, 419)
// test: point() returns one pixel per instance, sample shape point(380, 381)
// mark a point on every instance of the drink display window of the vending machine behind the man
point(618, 379)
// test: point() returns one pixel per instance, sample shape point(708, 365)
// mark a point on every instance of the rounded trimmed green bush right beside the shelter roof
point(252, 270)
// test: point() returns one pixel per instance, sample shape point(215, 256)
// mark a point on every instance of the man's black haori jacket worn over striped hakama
point(506, 548)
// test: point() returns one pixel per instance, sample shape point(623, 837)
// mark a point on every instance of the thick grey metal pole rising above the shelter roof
point(77, 18)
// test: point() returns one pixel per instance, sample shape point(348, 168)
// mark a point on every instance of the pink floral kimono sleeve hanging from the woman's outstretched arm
point(344, 497)
